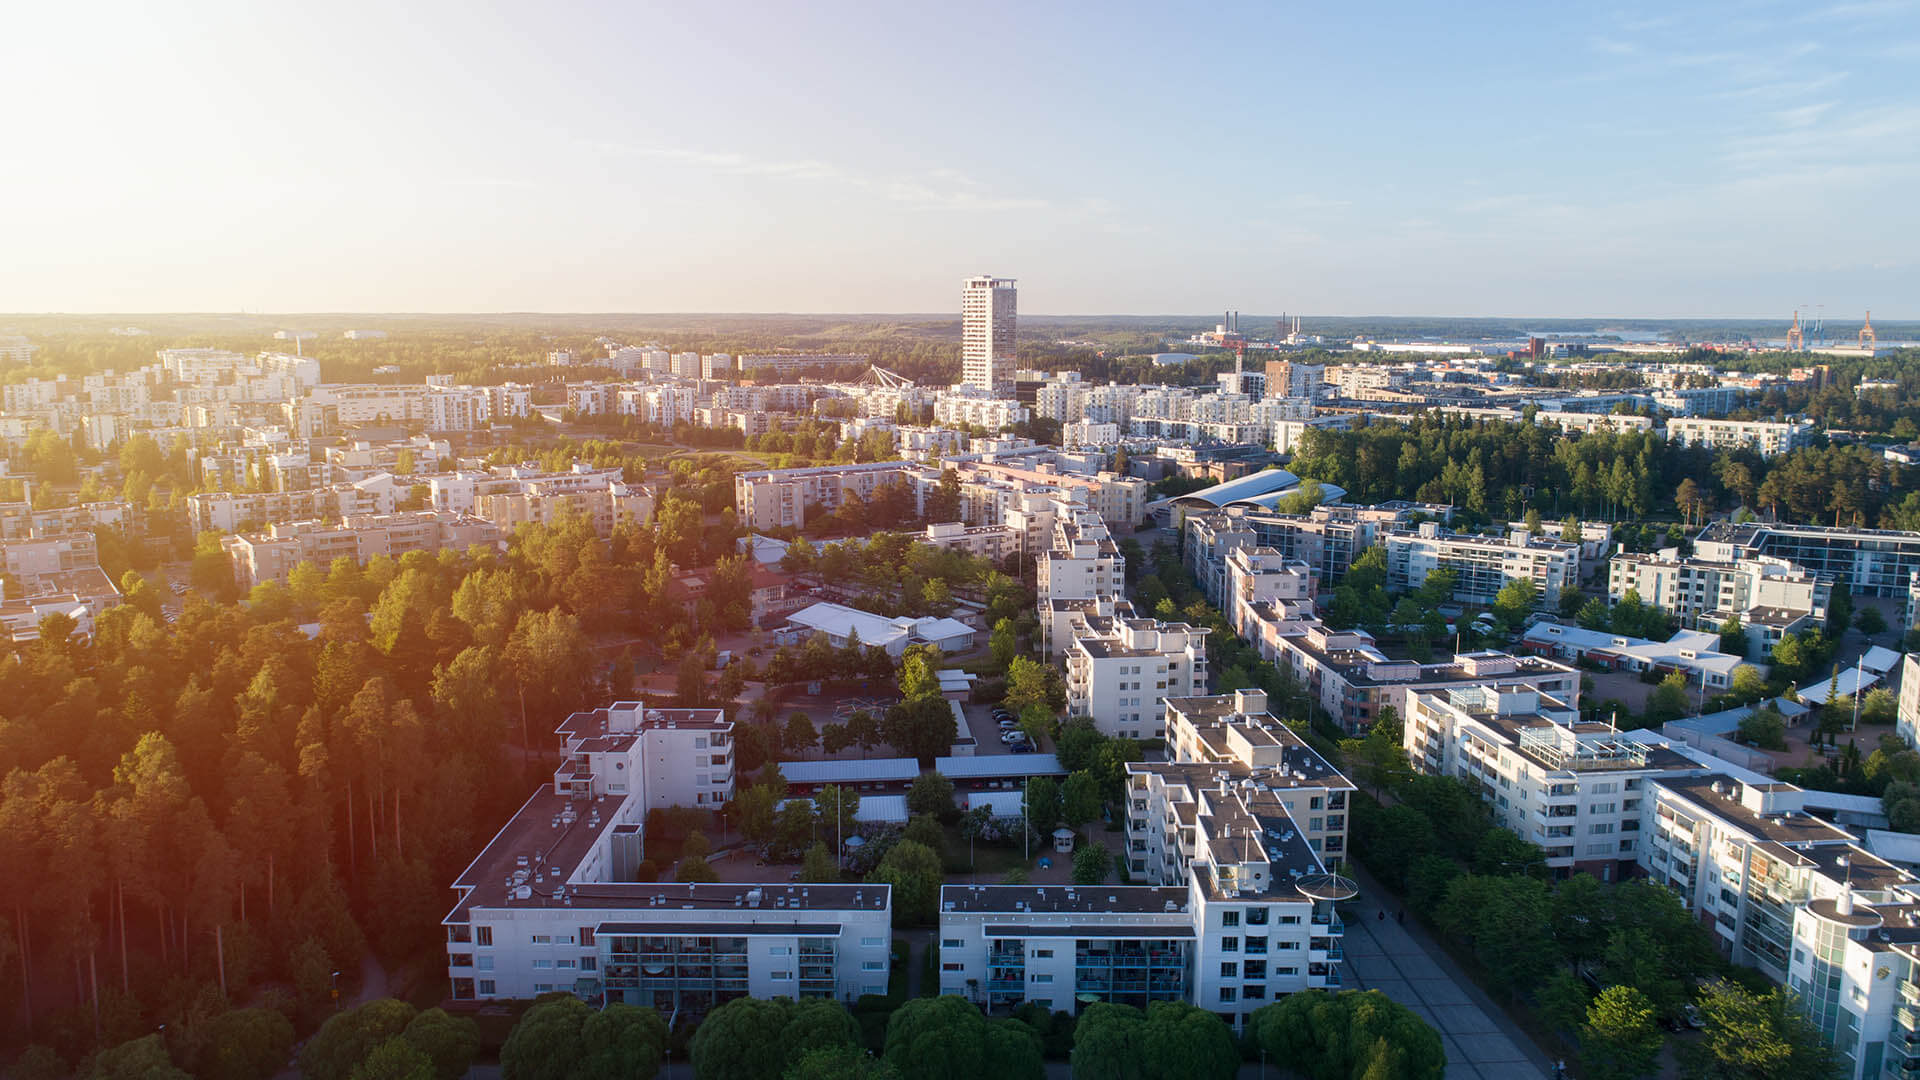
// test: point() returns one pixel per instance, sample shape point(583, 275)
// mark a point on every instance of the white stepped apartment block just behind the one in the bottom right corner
point(1573, 789)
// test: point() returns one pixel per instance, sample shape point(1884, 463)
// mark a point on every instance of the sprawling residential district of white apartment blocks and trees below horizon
point(1189, 693)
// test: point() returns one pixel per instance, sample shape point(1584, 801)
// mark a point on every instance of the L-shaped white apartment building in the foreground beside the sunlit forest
point(554, 906)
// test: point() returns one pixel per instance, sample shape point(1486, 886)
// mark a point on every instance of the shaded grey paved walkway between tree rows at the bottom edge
point(1403, 962)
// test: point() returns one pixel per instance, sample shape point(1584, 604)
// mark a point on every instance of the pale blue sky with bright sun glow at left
point(1393, 159)
